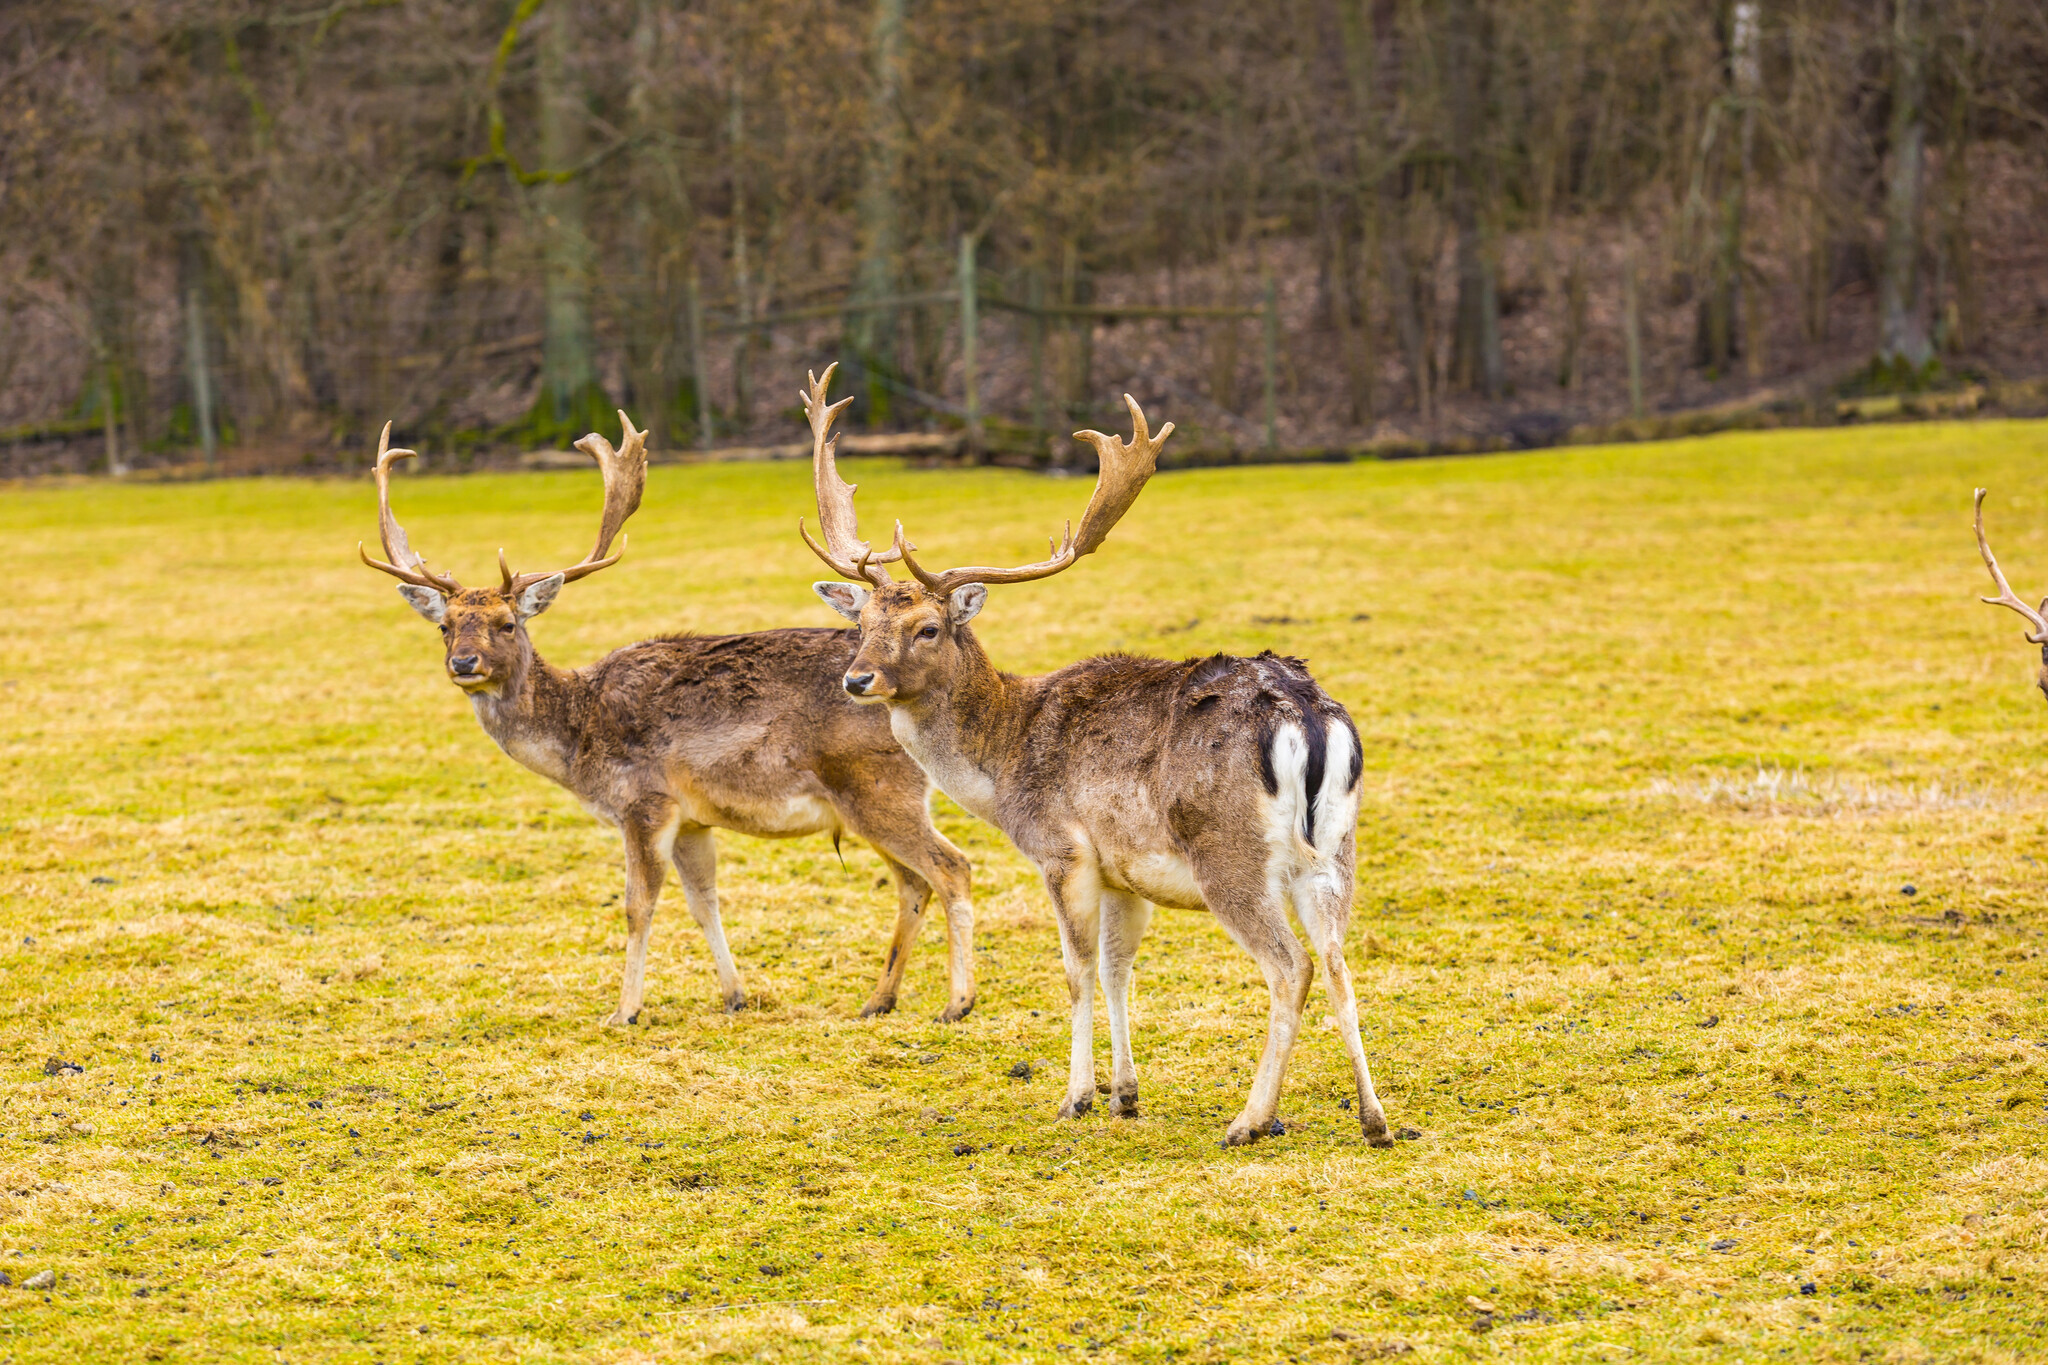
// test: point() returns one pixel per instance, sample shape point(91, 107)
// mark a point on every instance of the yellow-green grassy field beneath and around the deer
point(1703, 858)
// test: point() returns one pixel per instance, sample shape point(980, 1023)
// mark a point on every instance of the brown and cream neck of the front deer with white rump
point(964, 730)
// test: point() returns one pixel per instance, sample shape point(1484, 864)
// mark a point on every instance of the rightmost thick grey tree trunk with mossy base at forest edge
point(1902, 328)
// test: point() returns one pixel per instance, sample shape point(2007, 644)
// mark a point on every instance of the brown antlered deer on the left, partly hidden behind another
point(675, 738)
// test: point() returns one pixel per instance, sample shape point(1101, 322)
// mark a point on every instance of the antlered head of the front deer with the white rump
point(910, 631)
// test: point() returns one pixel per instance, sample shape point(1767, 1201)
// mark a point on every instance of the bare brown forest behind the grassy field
point(259, 230)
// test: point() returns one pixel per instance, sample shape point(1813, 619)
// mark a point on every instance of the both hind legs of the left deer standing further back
point(900, 828)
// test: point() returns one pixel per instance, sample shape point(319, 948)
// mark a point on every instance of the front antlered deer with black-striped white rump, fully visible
point(1226, 785)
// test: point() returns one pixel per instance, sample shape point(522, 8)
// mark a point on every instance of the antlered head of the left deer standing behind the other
point(486, 627)
